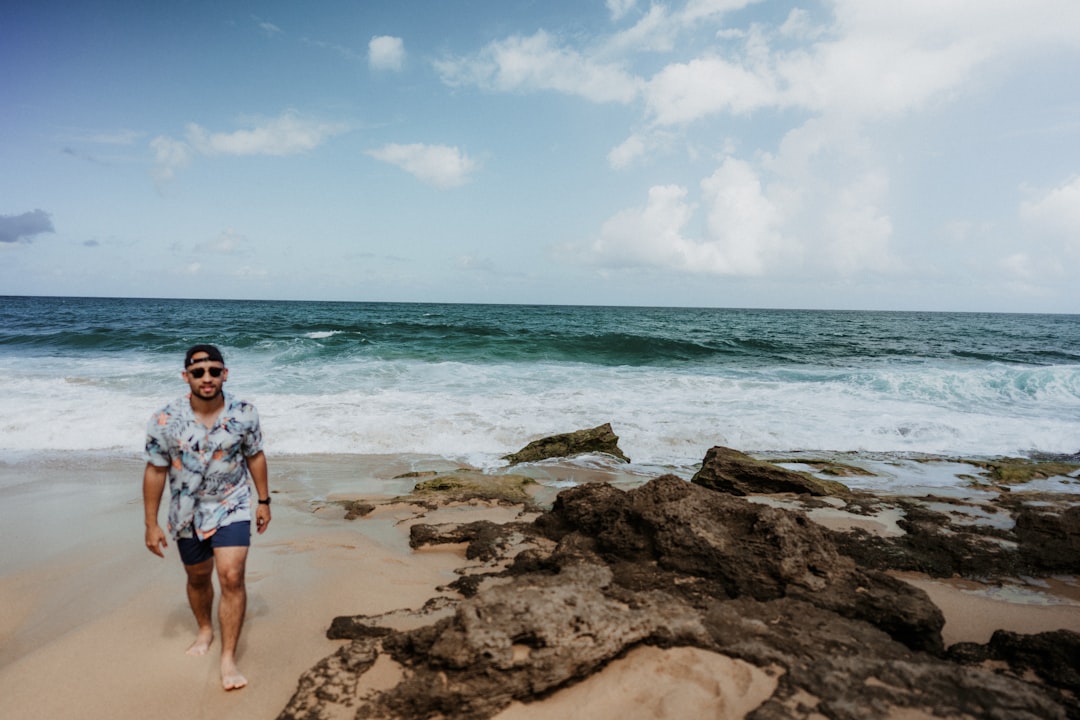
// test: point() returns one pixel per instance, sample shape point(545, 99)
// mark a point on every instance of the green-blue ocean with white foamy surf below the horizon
point(475, 383)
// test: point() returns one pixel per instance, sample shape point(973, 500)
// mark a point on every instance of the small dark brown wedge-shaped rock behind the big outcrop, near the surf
point(737, 473)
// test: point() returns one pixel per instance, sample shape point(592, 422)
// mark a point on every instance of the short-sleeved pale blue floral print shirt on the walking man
point(208, 469)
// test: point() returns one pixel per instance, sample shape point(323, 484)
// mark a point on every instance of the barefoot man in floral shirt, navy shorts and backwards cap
point(205, 445)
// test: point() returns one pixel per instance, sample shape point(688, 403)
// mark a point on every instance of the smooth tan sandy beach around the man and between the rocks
point(96, 627)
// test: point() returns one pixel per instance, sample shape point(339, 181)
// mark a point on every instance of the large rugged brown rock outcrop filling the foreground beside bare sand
point(676, 565)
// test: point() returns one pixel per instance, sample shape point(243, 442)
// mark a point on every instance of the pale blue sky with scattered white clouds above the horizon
point(845, 154)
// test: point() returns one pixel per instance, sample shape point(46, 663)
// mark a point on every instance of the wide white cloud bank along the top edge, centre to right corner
point(869, 60)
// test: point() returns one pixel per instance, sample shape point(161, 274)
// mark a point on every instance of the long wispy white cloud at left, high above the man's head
point(288, 134)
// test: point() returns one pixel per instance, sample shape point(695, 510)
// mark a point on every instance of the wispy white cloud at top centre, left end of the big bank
point(536, 63)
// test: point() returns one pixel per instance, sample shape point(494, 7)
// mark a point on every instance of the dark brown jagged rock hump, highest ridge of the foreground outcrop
point(708, 546)
